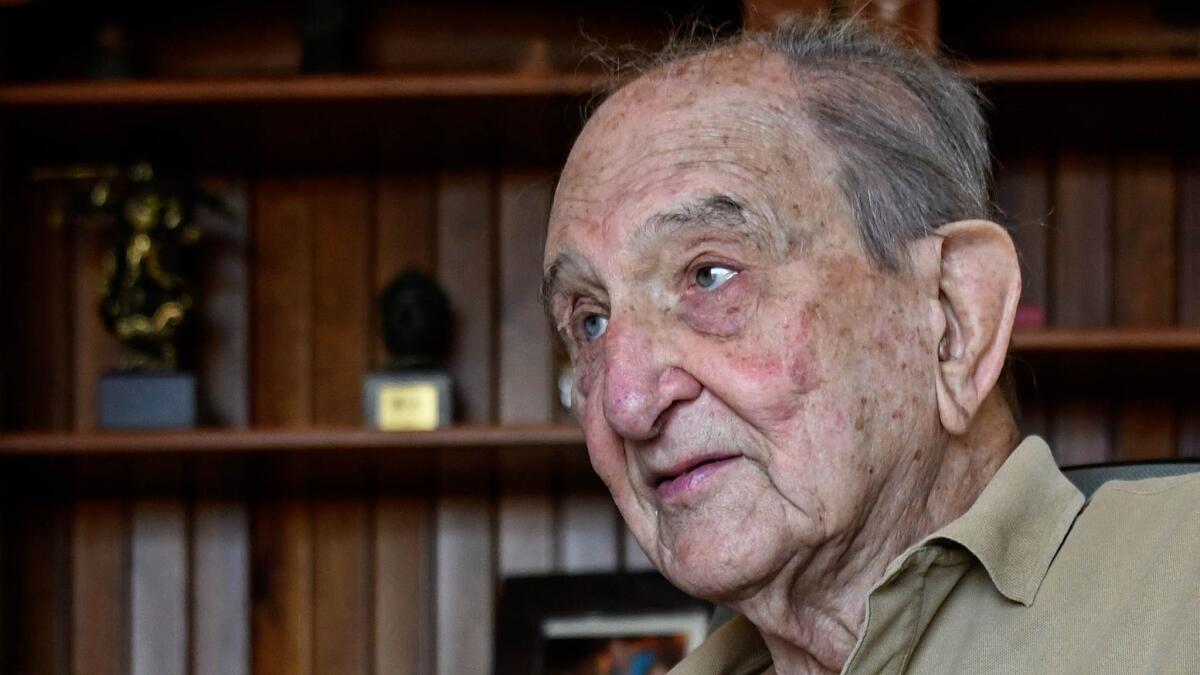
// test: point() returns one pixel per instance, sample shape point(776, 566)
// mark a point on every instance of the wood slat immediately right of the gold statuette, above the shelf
point(224, 368)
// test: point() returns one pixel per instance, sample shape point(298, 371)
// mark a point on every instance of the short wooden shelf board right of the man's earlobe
point(1107, 341)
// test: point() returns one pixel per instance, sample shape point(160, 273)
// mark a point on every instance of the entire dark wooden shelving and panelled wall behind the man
point(283, 540)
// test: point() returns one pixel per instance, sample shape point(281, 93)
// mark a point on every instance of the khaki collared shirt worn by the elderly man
point(1030, 580)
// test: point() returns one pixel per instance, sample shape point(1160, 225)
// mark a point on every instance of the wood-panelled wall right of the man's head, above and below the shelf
point(1107, 240)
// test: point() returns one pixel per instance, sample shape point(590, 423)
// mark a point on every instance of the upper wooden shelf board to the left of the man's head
point(302, 88)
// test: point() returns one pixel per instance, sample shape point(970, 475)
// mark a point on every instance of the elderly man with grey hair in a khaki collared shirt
point(788, 324)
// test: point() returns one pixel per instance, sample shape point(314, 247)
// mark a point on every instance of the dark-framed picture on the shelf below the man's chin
point(596, 625)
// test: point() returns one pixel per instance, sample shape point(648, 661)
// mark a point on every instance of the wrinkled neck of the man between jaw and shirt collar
point(811, 616)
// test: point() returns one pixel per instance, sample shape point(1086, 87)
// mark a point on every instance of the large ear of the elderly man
point(979, 291)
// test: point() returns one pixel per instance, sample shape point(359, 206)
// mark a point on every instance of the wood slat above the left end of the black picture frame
point(526, 517)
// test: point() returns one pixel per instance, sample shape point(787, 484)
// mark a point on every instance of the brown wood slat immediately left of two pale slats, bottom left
point(100, 588)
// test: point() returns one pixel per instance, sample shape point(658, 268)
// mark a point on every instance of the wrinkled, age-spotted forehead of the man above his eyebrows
point(728, 123)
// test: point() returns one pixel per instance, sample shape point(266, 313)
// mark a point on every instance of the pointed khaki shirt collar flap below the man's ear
point(1019, 522)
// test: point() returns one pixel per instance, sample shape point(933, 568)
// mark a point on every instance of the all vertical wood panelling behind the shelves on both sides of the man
point(403, 577)
